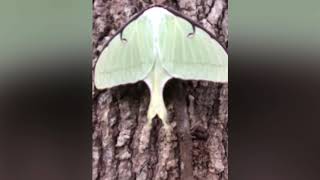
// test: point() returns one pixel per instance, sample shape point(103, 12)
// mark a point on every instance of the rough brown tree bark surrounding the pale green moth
point(123, 148)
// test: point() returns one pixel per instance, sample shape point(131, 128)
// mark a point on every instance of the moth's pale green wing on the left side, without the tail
point(129, 61)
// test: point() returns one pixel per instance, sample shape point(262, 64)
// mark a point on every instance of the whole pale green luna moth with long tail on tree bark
point(156, 45)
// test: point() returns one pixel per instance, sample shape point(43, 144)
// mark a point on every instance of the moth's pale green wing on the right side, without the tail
point(198, 57)
